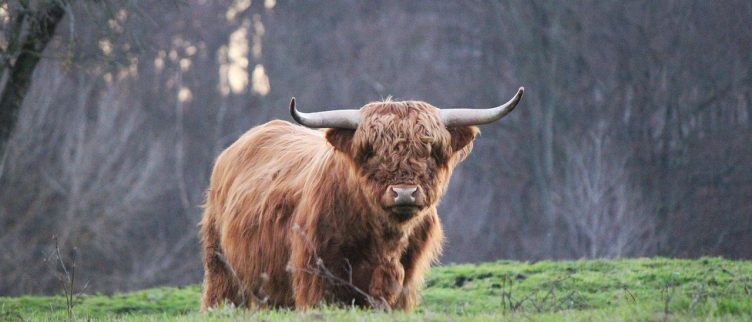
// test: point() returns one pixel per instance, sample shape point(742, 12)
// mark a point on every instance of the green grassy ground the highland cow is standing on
point(601, 290)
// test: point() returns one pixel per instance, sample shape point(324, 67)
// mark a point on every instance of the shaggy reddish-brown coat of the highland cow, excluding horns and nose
point(294, 215)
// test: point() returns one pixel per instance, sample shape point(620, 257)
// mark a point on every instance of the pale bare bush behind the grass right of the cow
point(599, 205)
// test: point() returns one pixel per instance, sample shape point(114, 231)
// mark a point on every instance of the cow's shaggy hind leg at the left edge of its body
point(218, 281)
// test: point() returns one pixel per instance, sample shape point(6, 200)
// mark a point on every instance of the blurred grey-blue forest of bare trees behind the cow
point(634, 137)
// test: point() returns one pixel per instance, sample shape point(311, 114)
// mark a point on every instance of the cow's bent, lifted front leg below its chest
point(386, 282)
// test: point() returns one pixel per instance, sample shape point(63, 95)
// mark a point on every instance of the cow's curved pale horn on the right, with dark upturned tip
point(466, 116)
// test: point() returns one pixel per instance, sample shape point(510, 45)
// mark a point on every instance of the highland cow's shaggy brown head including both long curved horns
point(403, 152)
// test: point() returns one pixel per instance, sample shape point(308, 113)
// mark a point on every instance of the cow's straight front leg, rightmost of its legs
point(424, 248)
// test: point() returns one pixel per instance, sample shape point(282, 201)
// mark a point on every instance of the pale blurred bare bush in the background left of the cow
point(97, 177)
